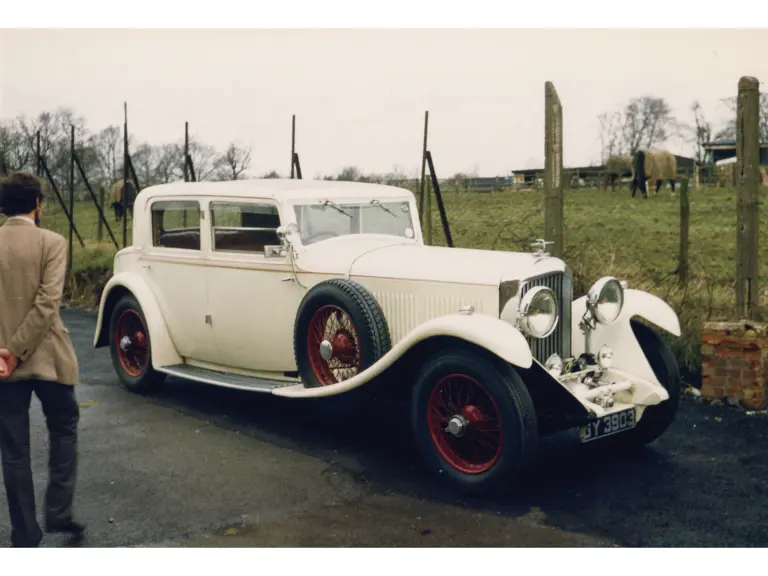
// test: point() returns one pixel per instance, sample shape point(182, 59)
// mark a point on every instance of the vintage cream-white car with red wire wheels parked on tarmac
point(305, 289)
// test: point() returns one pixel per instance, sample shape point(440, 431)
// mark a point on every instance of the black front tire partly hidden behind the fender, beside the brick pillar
point(656, 419)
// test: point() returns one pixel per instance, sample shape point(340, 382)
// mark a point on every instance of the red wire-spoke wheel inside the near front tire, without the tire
point(465, 424)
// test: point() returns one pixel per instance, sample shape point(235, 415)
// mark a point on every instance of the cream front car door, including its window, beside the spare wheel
point(252, 304)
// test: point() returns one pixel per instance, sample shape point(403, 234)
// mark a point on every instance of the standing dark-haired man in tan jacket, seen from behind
point(38, 357)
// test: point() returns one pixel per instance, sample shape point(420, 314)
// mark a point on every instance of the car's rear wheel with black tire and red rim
point(130, 347)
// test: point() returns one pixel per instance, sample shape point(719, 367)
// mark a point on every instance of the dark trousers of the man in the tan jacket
point(62, 415)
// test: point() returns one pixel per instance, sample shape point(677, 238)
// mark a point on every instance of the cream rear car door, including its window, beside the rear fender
point(173, 262)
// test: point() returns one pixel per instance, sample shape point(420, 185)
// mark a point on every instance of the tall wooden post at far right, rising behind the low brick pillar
point(747, 182)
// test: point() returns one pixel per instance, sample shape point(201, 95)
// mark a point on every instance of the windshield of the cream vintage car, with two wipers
point(327, 219)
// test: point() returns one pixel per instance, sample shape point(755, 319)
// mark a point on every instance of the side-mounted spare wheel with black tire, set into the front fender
point(364, 345)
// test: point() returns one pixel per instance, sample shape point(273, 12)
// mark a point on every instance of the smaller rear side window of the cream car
point(176, 224)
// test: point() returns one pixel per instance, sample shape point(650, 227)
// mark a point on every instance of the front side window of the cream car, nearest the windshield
point(244, 226)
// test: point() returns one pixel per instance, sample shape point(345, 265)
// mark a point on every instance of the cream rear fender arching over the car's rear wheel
point(162, 348)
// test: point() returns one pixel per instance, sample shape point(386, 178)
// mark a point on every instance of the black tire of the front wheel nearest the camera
point(511, 402)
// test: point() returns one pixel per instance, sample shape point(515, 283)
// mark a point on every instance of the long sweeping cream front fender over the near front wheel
point(496, 336)
